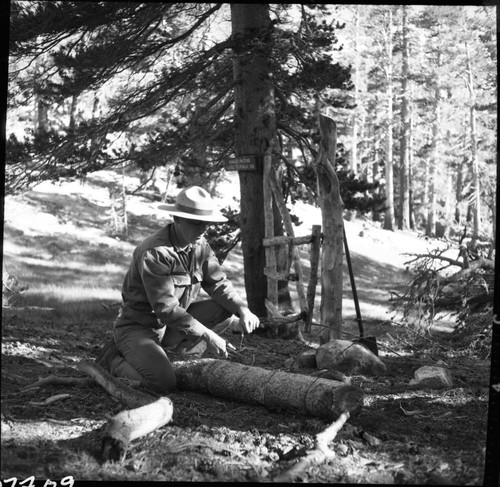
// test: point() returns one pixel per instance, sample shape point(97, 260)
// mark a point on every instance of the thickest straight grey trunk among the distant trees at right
point(405, 133)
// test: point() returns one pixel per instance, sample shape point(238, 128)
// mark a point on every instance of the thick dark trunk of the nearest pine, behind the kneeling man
point(255, 128)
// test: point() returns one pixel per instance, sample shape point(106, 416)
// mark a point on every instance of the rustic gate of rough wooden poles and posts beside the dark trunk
point(332, 249)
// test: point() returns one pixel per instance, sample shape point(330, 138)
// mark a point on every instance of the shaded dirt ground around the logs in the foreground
point(402, 436)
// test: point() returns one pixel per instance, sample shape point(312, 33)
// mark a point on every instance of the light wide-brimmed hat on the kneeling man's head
point(195, 203)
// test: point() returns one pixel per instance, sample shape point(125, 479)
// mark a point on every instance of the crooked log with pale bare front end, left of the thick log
point(149, 412)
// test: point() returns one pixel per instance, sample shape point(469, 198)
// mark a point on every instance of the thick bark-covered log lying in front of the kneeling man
point(318, 397)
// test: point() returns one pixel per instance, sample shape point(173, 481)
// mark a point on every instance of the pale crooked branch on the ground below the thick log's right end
point(320, 453)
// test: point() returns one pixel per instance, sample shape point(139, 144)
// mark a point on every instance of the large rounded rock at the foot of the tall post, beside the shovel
point(349, 358)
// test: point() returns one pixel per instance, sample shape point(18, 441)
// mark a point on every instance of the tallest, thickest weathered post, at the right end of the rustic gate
point(331, 210)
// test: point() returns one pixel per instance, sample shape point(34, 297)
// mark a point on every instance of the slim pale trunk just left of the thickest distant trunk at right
point(389, 175)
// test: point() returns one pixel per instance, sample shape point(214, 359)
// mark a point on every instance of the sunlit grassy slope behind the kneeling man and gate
point(58, 240)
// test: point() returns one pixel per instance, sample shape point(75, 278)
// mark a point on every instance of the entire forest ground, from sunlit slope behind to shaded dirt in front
point(57, 241)
